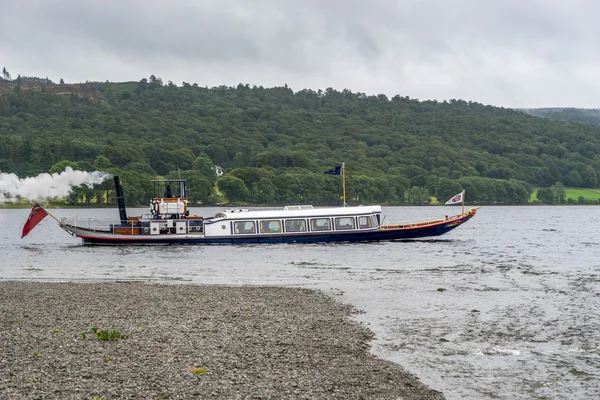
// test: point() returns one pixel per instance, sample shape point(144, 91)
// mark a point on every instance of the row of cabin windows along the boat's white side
point(299, 225)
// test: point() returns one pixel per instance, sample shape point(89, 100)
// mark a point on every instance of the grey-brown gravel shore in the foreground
point(186, 341)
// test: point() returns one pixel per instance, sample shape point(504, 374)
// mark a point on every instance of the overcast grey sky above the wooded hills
point(511, 53)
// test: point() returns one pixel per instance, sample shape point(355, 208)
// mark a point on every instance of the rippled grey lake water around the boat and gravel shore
point(506, 306)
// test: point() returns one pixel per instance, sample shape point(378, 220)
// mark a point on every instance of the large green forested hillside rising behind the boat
point(273, 144)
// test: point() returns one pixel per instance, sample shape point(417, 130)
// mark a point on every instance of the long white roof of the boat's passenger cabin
point(300, 212)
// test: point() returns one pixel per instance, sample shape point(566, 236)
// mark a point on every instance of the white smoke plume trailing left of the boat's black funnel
point(46, 186)
